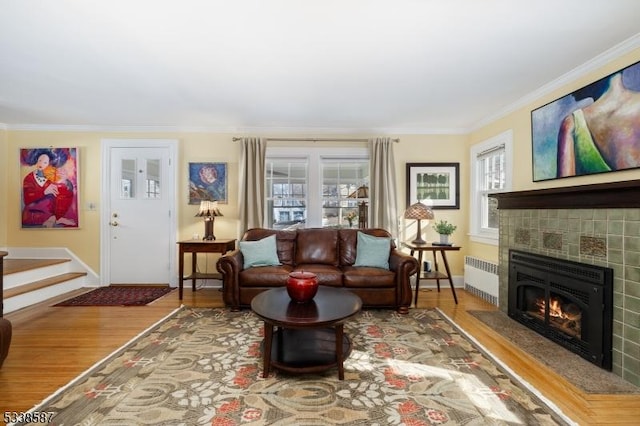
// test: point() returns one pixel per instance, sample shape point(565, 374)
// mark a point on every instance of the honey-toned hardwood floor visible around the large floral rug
point(53, 345)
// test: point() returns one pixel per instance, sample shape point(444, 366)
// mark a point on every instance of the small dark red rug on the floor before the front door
point(118, 296)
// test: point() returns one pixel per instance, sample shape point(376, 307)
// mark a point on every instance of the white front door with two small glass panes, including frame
point(139, 219)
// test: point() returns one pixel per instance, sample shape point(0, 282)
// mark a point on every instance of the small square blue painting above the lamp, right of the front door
point(207, 182)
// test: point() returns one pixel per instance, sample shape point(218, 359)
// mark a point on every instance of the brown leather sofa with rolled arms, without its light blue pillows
point(330, 254)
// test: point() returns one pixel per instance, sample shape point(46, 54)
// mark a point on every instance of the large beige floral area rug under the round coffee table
point(204, 367)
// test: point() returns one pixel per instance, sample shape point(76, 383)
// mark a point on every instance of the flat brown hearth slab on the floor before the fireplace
point(580, 372)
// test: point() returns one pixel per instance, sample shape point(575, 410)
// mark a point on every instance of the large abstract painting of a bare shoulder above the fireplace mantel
point(595, 129)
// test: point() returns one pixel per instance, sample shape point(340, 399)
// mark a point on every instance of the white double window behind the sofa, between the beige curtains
point(315, 187)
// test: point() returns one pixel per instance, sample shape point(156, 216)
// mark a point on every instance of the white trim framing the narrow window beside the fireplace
point(477, 233)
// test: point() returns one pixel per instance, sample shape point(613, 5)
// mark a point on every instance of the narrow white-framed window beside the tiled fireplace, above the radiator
point(491, 172)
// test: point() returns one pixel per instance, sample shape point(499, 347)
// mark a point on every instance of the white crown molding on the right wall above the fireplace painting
point(599, 61)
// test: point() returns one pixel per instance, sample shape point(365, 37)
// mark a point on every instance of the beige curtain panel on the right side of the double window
point(382, 186)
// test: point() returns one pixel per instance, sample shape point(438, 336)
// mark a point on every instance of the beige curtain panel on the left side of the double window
point(251, 189)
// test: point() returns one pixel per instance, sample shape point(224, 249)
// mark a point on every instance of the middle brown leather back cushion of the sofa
point(317, 246)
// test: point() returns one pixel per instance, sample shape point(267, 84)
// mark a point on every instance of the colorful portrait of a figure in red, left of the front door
point(49, 187)
